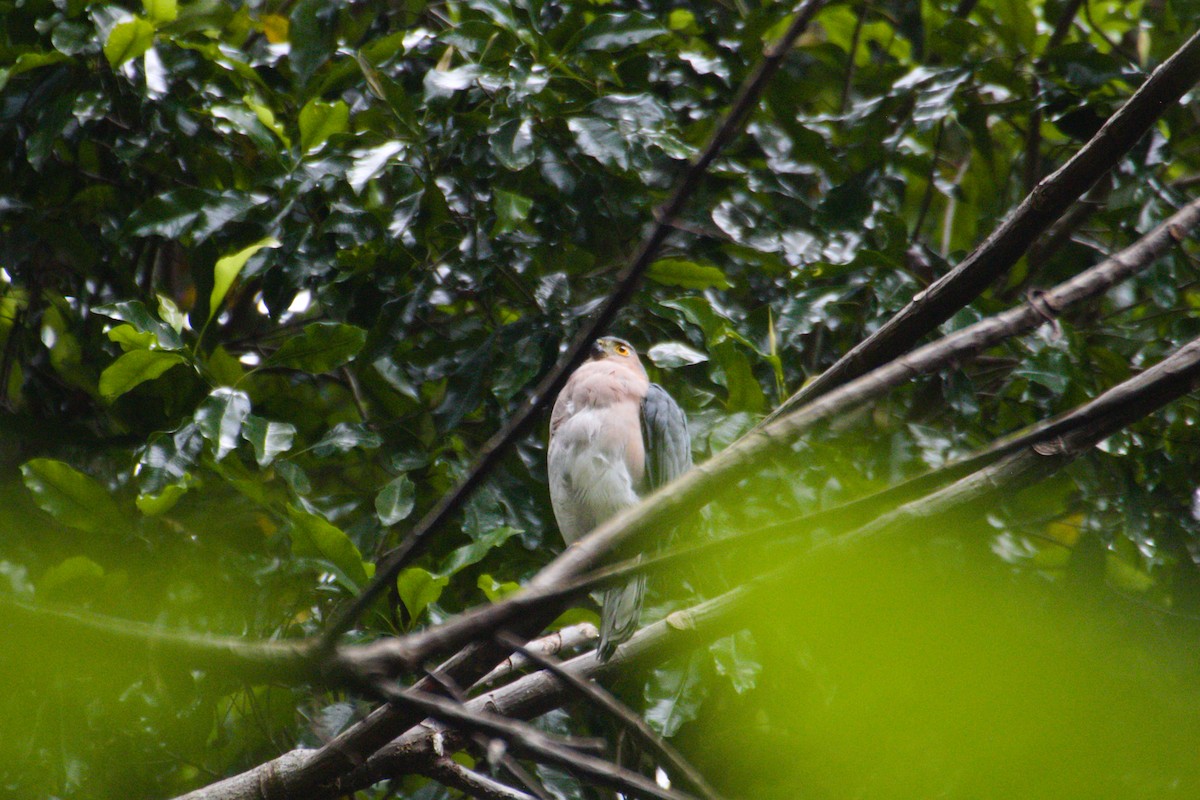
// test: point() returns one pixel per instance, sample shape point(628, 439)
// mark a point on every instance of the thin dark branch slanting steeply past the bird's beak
point(627, 285)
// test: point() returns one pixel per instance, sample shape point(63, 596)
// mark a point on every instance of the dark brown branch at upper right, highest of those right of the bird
point(1006, 245)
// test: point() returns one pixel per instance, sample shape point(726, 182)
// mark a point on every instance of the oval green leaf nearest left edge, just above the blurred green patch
point(71, 497)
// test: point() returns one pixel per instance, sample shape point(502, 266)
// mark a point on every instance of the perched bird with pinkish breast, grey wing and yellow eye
point(614, 438)
